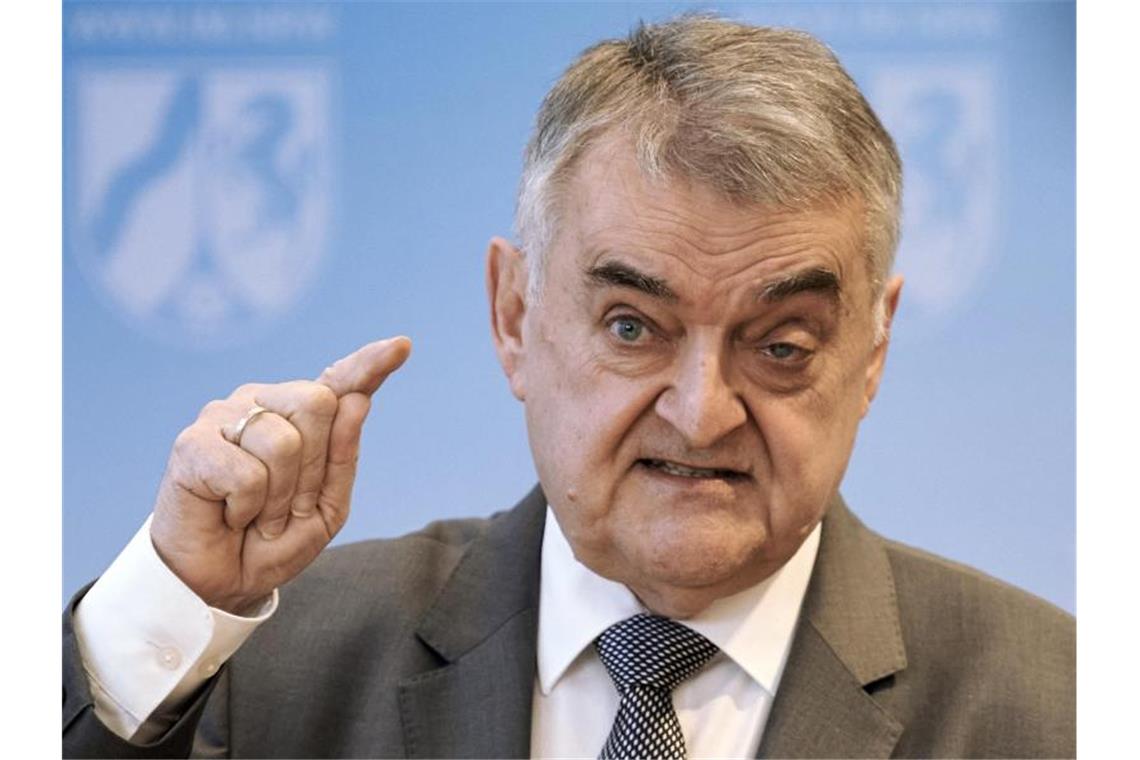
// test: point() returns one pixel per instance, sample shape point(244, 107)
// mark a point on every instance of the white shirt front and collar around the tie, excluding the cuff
point(722, 709)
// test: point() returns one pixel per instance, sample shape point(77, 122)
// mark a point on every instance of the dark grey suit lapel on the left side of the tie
point(484, 626)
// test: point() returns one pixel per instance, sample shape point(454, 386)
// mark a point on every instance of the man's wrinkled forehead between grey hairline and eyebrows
point(612, 208)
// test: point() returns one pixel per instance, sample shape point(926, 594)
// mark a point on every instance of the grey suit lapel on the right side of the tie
point(849, 638)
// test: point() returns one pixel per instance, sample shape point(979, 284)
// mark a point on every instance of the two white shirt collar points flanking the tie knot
point(753, 627)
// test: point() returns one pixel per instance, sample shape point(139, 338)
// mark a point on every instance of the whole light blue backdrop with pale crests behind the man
point(253, 191)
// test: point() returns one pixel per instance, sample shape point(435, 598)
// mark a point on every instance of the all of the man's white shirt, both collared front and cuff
point(148, 643)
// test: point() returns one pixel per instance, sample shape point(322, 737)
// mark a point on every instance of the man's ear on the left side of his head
point(507, 290)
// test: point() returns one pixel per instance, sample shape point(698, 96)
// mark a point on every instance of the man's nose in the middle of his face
point(699, 403)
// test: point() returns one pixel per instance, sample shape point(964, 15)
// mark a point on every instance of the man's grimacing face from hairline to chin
point(694, 378)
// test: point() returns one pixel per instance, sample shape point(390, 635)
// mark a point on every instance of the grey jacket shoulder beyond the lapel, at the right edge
point(990, 663)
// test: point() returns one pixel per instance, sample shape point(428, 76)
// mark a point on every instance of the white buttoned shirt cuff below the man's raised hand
point(149, 642)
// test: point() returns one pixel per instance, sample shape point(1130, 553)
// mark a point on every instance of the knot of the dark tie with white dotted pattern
point(653, 651)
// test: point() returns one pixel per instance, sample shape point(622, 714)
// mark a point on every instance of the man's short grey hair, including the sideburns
point(762, 116)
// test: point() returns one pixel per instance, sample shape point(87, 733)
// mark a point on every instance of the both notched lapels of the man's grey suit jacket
point(484, 628)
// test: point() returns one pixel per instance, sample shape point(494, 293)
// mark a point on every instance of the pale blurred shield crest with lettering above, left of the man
point(201, 165)
